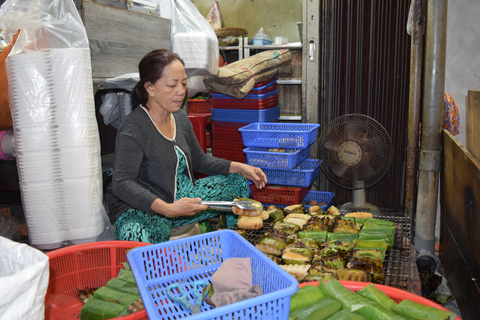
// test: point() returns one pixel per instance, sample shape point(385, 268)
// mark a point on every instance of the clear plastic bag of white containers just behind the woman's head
point(194, 40)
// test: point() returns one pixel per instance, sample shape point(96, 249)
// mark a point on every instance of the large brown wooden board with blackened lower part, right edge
point(460, 225)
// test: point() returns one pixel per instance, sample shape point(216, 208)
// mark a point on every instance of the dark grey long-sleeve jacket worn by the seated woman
point(145, 165)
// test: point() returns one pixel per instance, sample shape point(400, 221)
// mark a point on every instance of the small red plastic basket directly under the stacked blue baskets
point(279, 194)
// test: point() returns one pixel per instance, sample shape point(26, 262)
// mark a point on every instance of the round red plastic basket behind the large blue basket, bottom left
point(81, 266)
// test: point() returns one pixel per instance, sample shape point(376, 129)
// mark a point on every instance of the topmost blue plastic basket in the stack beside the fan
point(278, 135)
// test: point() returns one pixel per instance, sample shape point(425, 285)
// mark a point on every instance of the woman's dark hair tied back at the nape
point(151, 69)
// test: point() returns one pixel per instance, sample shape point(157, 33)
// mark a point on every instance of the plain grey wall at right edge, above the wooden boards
point(463, 55)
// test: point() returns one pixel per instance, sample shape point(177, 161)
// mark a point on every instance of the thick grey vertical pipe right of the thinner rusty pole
point(432, 120)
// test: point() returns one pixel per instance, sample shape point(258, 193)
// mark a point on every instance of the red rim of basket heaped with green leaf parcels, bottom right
point(396, 294)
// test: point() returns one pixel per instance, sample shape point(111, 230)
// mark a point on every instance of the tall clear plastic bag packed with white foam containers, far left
point(56, 134)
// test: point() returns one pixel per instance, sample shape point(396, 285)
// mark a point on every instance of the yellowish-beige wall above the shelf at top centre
point(277, 17)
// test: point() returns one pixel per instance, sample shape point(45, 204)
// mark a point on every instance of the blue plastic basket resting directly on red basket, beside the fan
point(302, 175)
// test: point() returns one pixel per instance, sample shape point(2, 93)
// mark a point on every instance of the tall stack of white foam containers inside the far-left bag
point(57, 146)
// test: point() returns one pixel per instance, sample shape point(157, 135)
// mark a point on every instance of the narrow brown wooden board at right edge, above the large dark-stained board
point(473, 122)
